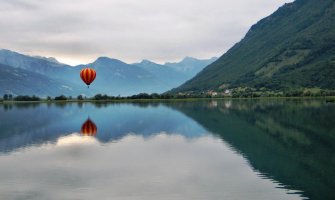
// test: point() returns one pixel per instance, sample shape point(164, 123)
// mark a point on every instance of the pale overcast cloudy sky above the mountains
point(79, 31)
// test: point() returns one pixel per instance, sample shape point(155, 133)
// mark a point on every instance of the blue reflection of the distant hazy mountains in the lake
point(22, 125)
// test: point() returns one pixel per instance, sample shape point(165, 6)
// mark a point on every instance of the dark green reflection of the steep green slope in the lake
point(289, 141)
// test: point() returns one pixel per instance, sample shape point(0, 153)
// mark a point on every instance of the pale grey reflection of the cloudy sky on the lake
point(159, 167)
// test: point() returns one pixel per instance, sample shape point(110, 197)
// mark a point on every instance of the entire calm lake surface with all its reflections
point(208, 150)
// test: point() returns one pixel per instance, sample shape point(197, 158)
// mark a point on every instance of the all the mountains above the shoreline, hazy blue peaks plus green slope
point(292, 49)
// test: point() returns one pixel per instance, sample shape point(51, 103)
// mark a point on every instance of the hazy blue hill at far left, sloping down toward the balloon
point(39, 74)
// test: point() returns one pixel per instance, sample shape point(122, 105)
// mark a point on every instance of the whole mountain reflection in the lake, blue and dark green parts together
point(288, 141)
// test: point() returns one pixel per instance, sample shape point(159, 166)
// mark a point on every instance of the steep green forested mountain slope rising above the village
point(292, 48)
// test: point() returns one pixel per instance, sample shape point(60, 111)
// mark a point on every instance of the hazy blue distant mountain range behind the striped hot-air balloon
point(35, 75)
